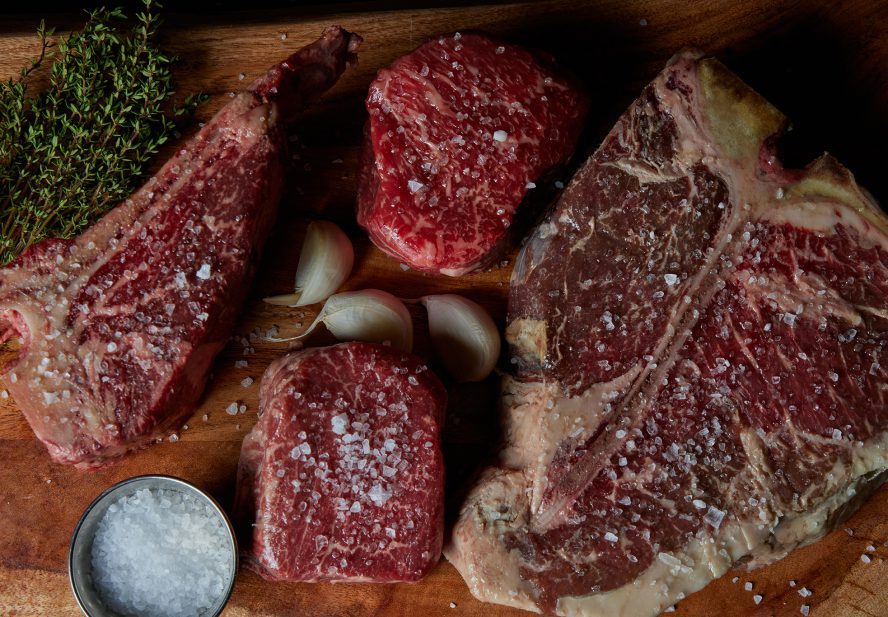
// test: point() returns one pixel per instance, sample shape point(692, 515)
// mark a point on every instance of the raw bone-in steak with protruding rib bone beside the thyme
point(120, 325)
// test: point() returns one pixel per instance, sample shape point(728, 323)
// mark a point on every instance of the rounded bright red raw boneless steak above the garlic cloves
point(458, 129)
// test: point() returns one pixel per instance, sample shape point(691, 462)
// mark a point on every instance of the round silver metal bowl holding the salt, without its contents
point(79, 568)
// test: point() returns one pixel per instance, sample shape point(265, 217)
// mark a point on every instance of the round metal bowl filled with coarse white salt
point(153, 546)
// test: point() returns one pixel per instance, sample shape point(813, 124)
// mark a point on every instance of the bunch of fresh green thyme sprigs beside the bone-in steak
point(74, 150)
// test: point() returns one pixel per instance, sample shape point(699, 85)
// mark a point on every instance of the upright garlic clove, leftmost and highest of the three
point(325, 262)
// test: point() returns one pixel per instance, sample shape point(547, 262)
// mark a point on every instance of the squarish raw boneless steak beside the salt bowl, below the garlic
point(343, 474)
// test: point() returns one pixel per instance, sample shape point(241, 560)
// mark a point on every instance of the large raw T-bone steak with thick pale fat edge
point(699, 338)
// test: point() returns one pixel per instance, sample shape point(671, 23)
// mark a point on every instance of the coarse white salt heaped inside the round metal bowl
point(161, 552)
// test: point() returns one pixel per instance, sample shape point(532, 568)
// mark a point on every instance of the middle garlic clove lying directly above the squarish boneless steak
point(369, 315)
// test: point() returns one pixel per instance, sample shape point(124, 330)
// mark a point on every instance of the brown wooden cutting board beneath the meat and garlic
point(825, 65)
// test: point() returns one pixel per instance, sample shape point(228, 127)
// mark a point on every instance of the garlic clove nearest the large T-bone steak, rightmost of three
point(464, 336)
